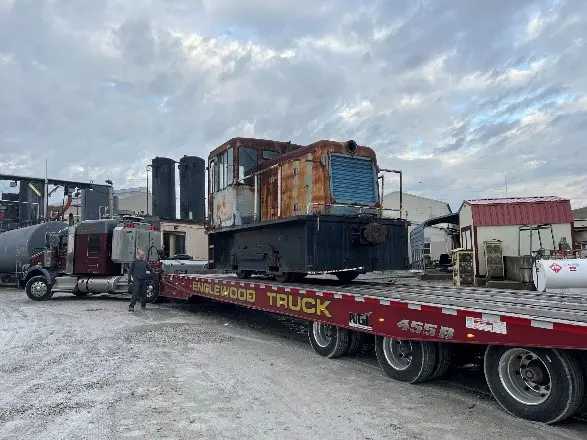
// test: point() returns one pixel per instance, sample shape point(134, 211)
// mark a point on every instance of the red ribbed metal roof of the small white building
point(520, 211)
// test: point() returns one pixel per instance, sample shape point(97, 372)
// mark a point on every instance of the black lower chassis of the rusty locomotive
point(311, 243)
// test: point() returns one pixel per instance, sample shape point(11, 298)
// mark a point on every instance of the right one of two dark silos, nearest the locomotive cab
point(192, 178)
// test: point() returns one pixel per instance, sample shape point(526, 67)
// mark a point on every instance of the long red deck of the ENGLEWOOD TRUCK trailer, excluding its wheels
point(500, 316)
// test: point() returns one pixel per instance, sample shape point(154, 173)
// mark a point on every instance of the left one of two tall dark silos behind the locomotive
point(163, 198)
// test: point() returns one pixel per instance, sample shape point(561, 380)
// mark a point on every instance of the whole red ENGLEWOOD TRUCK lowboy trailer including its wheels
point(533, 343)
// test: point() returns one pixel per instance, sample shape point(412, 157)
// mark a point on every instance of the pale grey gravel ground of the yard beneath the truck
point(85, 368)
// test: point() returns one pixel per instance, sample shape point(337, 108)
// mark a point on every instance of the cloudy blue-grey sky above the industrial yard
point(463, 95)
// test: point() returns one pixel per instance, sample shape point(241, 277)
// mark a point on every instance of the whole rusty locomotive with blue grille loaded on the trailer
point(286, 210)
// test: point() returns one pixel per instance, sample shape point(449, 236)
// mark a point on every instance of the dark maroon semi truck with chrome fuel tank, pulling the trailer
point(92, 257)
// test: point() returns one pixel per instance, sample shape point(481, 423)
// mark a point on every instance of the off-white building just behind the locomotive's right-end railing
point(418, 209)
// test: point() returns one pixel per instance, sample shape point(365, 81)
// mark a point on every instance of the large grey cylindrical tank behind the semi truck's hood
point(19, 245)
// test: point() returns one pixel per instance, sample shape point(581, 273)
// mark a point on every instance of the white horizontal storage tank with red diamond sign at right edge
point(560, 274)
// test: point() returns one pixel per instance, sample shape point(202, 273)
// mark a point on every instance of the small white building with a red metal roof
point(501, 219)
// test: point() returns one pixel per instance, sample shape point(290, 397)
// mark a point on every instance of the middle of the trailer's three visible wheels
point(406, 361)
